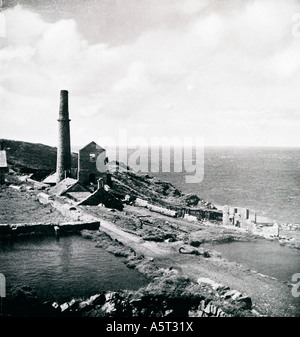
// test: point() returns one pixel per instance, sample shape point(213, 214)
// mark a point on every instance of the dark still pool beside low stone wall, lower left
point(59, 270)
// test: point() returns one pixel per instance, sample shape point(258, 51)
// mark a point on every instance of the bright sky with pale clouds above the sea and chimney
point(227, 72)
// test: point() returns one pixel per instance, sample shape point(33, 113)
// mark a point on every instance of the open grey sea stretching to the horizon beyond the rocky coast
point(266, 180)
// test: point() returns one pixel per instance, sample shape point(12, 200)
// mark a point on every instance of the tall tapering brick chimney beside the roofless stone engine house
point(63, 167)
